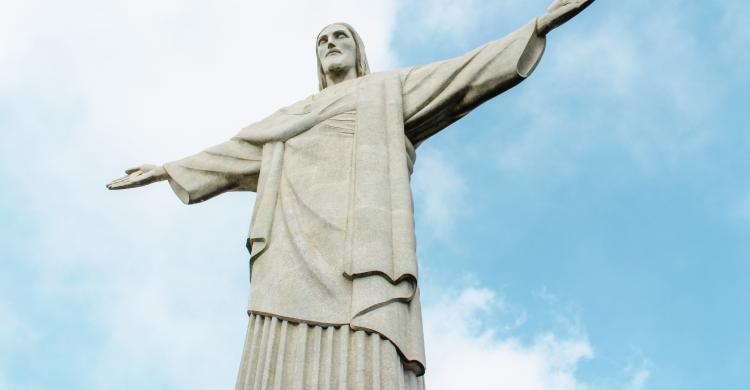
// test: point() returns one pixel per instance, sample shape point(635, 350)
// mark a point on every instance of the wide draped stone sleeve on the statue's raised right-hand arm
point(438, 94)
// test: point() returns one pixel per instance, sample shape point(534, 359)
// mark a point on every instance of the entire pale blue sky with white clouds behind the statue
point(589, 229)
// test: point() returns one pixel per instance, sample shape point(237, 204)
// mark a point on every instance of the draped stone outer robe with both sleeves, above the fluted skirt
point(332, 236)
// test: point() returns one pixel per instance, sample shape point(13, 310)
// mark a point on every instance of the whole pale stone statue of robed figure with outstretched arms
point(334, 300)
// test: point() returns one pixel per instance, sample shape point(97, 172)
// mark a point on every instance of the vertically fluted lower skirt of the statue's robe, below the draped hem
point(283, 355)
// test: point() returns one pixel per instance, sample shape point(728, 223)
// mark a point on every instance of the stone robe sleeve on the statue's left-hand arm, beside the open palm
point(231, 166)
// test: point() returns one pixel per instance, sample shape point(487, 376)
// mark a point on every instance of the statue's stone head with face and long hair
point(338, 49)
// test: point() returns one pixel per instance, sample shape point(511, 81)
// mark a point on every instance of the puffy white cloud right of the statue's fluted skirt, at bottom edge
point(464, 351)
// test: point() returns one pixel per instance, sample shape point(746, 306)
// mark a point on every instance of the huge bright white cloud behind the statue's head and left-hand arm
point(90, 88)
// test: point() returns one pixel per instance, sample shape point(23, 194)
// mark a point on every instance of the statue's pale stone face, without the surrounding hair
point(337, 50)
